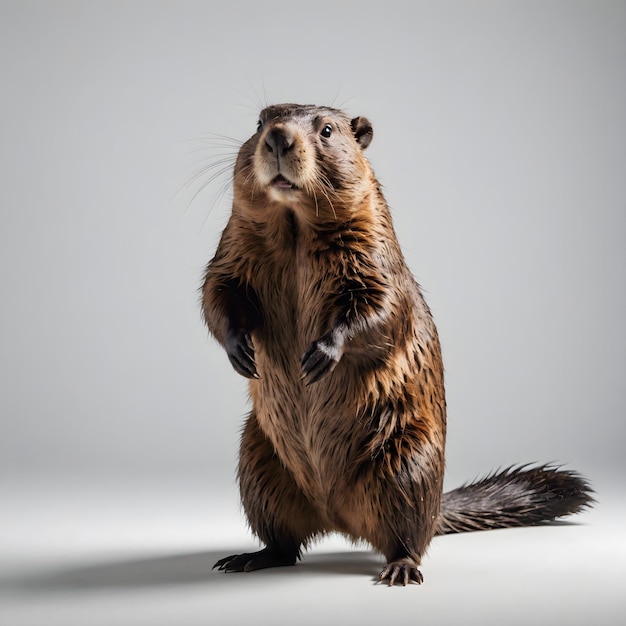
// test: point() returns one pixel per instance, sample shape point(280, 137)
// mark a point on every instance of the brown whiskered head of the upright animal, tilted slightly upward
point(308, 158)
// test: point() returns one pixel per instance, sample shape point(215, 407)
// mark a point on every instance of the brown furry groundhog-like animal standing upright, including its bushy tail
point(311, 297)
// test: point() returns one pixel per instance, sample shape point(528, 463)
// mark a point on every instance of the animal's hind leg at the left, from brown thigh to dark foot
point(277, 510)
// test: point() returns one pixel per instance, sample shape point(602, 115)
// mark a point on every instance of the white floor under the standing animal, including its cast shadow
point(139, 554)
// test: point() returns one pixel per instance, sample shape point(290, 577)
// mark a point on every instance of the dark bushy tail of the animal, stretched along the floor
point(516, 496)
